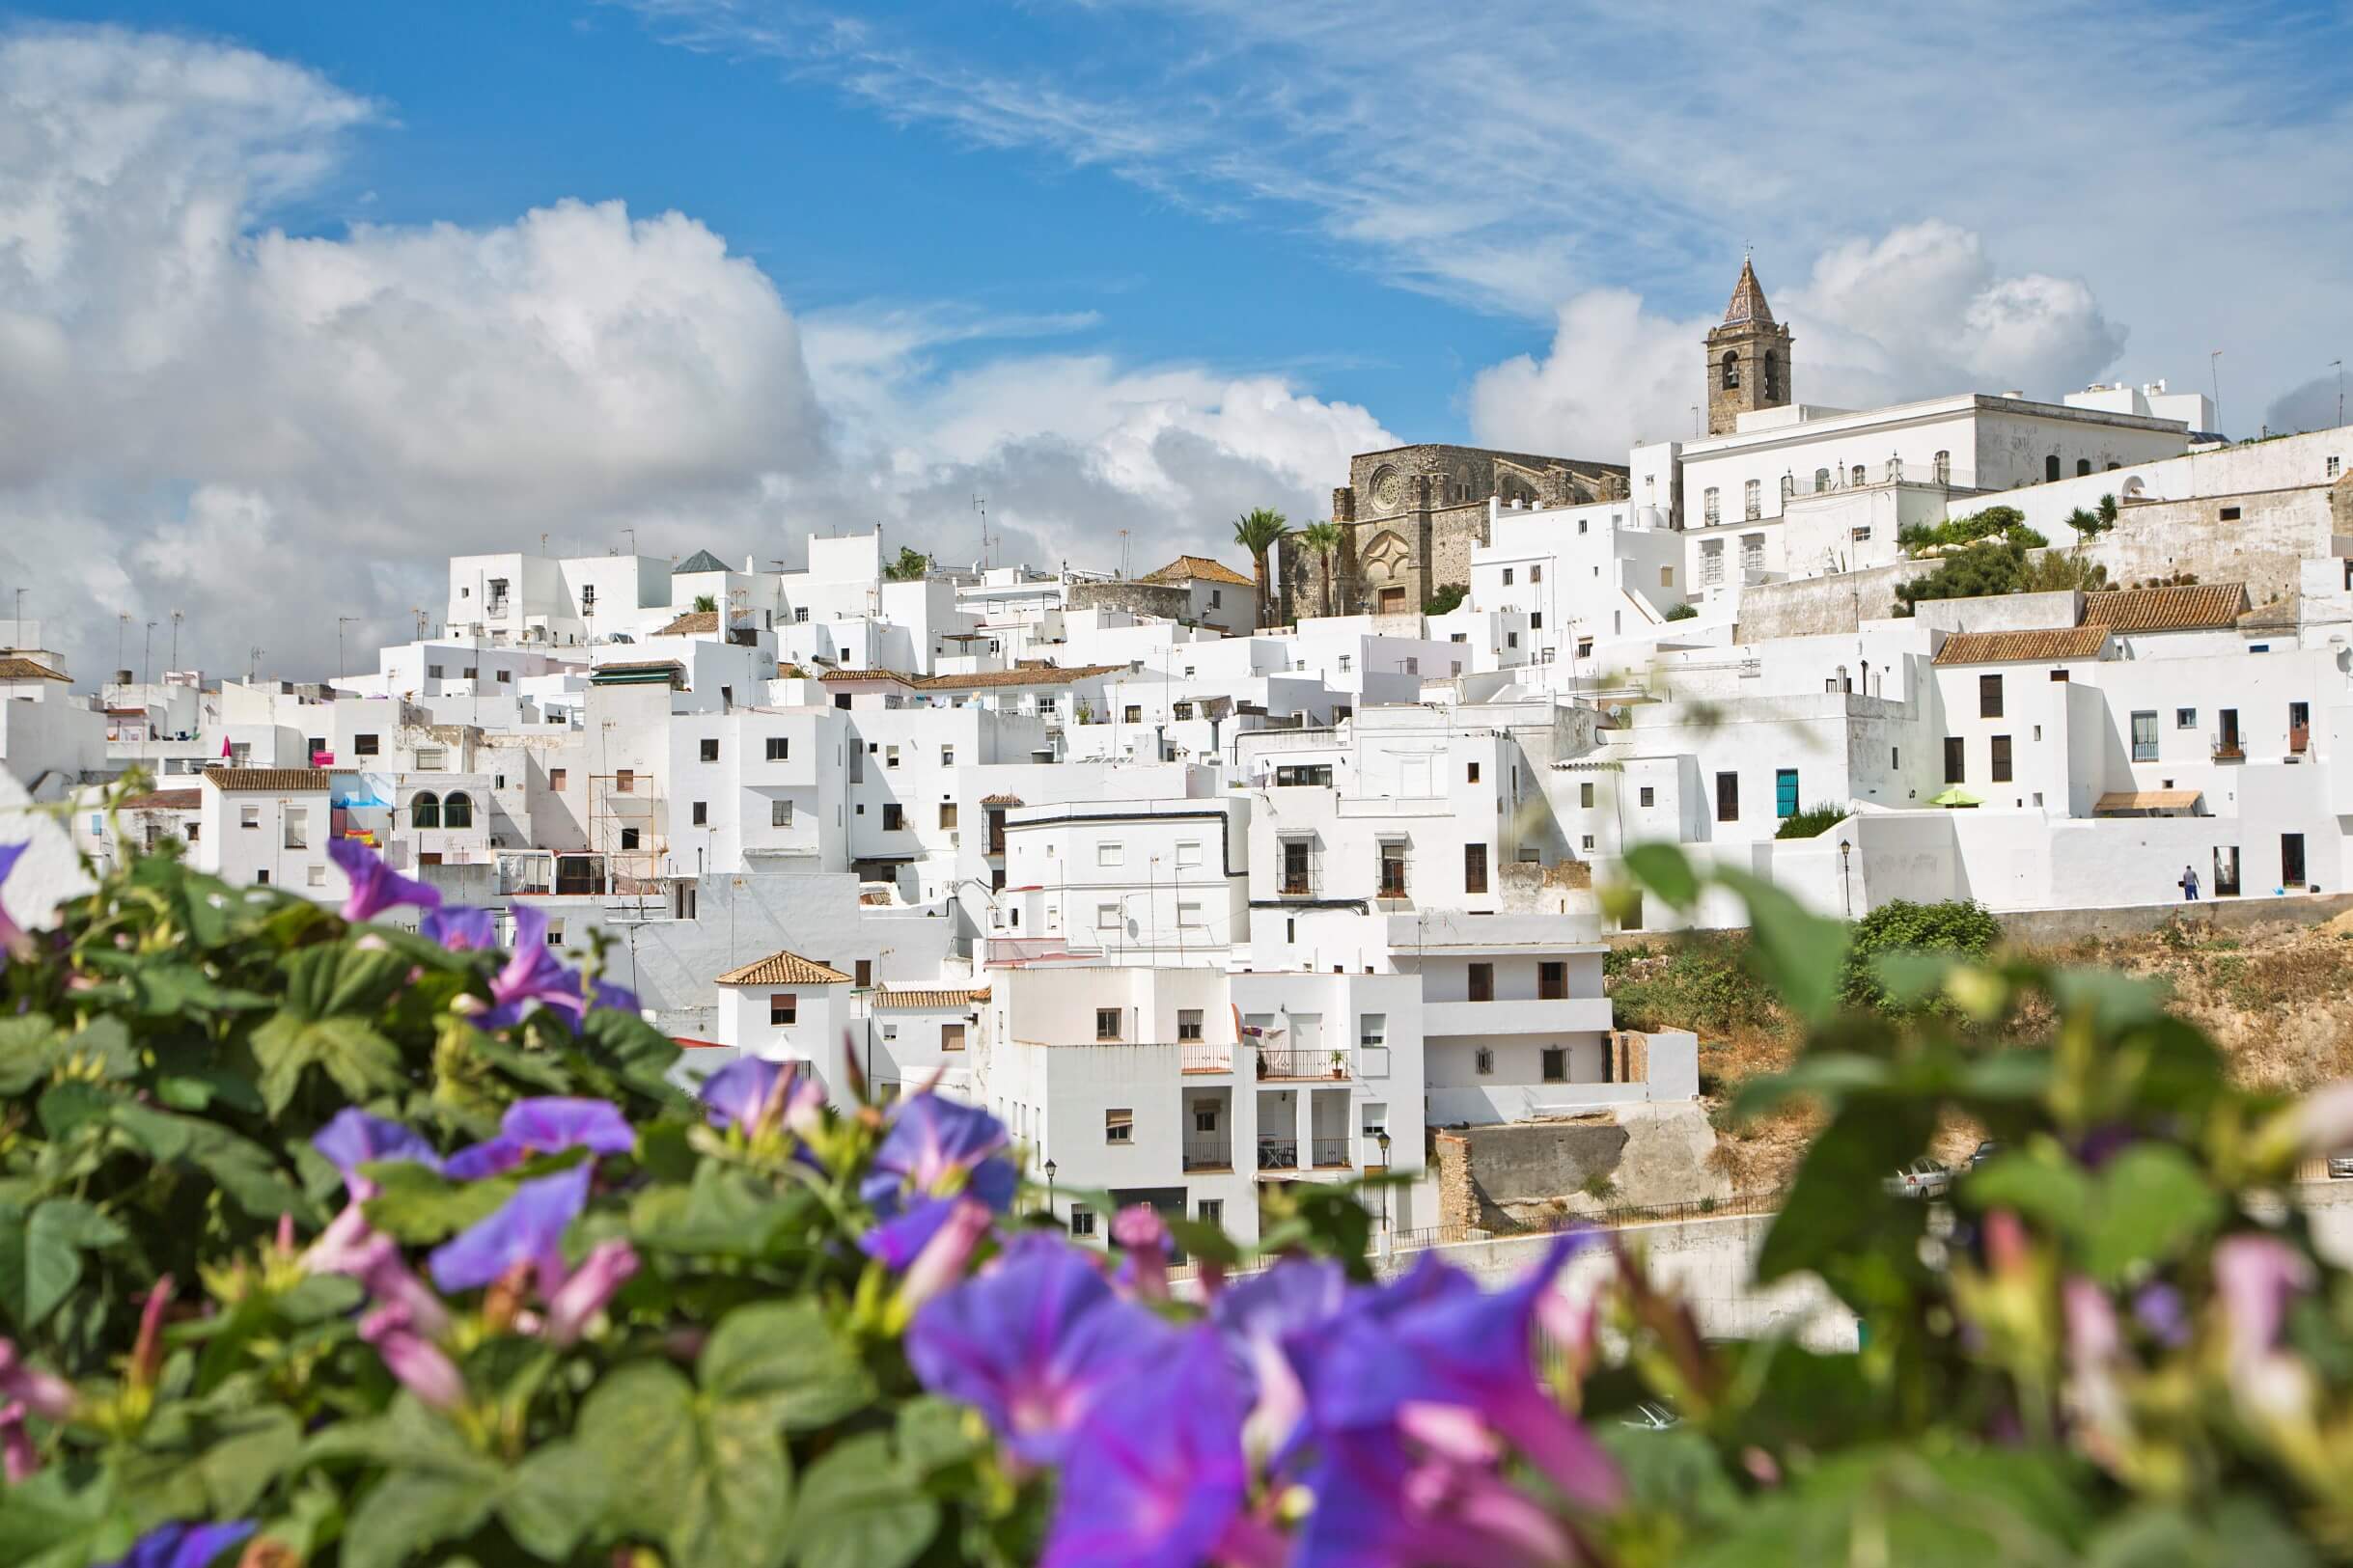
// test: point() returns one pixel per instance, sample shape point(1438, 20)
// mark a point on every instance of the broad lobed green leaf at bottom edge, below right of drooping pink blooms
point(709, 1480)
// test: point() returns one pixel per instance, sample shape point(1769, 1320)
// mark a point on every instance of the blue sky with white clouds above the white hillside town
point(305, 297)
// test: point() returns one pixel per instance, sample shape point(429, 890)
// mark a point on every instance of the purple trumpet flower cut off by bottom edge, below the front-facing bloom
point(1156, 1475)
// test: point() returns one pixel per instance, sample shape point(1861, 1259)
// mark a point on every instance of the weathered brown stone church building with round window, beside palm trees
point(1411, 516)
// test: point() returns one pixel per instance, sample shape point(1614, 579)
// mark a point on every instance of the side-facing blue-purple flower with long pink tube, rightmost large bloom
point(1460, 1348)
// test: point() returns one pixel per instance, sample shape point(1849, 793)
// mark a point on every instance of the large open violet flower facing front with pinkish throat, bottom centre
point(1032, 1343)
